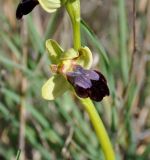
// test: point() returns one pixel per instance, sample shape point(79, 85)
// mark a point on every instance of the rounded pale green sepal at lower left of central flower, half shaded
point(54, 87)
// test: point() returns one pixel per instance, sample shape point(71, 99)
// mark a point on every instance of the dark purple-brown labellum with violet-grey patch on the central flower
point(88, 83)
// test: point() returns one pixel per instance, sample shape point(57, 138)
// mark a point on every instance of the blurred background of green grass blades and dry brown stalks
point(60, 129)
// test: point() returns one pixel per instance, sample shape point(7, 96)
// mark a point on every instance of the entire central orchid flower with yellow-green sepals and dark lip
point(71, 68)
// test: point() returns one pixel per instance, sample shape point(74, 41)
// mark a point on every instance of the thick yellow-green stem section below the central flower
point(99, 128)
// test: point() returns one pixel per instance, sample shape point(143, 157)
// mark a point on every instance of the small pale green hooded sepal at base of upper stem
point(69, 54)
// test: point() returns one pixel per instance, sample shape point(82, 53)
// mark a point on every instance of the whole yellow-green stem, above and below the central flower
point(73, 9)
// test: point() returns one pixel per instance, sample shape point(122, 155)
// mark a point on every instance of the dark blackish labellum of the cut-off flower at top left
point(25, 7)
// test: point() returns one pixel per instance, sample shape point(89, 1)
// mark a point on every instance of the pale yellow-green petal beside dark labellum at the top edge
point(50, 5)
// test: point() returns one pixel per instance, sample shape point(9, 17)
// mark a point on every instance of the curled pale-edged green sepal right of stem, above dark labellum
point(85, 58)
